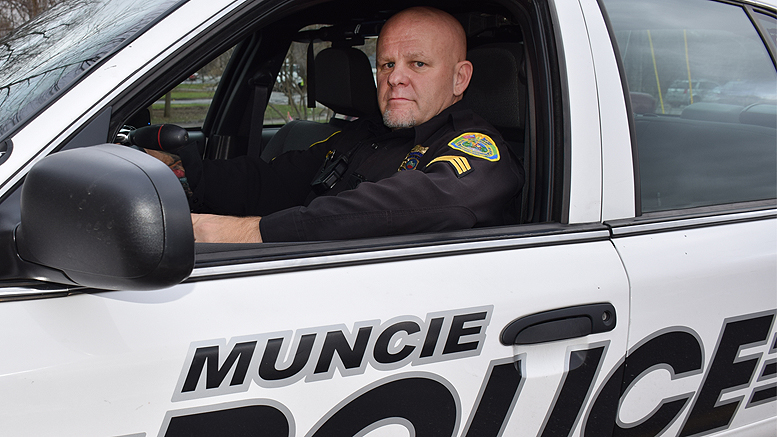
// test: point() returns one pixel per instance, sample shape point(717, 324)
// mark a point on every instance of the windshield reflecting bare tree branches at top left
point(50, 52)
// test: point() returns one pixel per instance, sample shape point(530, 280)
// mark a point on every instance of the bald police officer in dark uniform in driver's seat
point(430, 164)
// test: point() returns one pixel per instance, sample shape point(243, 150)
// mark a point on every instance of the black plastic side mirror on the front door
point(106, 217)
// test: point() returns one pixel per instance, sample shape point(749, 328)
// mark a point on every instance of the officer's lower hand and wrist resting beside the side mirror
point(209, 228)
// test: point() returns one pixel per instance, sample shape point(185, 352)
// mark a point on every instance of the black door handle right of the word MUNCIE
point(559, 324)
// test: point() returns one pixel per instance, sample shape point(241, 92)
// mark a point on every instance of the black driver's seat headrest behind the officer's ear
point(497, 91)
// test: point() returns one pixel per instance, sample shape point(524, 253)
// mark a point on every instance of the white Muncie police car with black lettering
point(635, 295)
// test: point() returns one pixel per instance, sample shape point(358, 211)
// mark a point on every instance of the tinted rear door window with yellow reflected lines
point(703, 93)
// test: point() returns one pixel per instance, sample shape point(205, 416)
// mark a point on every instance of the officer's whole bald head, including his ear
point(422, 66)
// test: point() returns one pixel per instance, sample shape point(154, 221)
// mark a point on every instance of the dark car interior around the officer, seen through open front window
point(510, 87)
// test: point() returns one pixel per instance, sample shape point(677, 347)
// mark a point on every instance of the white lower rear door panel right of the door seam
point(696, 267)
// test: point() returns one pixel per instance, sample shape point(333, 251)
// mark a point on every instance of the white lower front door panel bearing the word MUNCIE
point(91, 339)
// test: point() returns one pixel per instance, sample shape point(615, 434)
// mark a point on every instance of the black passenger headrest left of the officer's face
point(344, 82)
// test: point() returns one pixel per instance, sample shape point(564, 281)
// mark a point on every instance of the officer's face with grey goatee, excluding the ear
point(415, 73)
